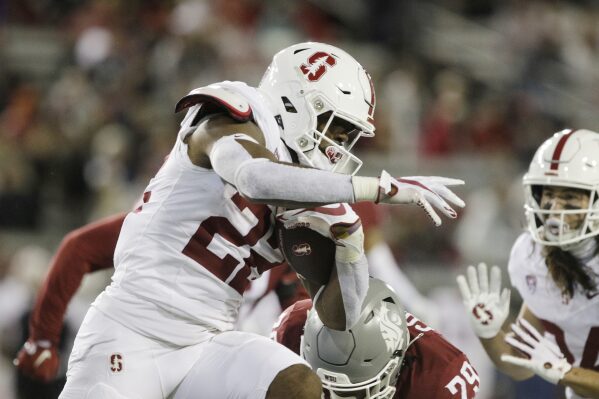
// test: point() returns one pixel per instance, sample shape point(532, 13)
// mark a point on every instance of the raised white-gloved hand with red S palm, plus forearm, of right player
point(487, 306)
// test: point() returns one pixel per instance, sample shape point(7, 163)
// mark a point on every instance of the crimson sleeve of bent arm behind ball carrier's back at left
point(82, 251)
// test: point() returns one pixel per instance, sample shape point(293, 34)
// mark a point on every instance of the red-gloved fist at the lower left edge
point(38, 359)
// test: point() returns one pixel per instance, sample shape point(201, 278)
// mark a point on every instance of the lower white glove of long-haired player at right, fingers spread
point(546, 359)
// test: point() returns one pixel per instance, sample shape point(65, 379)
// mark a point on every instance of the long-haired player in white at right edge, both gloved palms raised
point(555, 268)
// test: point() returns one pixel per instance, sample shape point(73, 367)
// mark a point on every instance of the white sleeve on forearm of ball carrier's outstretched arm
point(264, 180)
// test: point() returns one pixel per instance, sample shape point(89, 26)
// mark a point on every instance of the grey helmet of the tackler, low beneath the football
point(365, 360)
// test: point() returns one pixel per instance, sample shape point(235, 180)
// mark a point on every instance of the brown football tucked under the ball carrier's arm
point(310, 254)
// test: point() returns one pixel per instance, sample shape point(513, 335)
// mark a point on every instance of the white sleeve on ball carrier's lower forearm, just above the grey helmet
point(353, 280)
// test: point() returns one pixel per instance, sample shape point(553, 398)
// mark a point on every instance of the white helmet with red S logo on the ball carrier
point(312, 84)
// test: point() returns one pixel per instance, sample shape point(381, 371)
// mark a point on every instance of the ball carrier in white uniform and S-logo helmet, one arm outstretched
point(205, 229)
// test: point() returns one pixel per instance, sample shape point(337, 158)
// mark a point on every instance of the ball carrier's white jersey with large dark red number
point(186, 255)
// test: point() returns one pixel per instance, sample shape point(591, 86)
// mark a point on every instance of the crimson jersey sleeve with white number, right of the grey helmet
point(434, 368)
